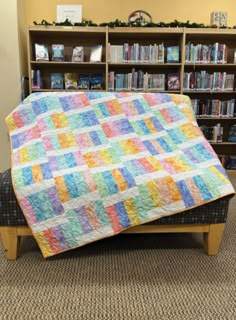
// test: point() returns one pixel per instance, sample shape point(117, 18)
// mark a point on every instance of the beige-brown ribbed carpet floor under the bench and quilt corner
point(159, 277)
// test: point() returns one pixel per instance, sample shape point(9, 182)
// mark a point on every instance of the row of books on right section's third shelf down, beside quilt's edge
point(214, 107)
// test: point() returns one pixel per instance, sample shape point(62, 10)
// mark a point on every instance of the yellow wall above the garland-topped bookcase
point(161, 10)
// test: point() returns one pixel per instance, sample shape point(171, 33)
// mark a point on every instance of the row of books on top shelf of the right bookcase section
point(203, 53)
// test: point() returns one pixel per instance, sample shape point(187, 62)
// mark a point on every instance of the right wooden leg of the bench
point(212, 238)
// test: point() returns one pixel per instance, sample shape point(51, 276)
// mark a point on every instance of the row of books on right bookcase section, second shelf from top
point(205, 81)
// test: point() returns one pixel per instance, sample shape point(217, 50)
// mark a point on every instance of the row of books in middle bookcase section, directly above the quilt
point(138, 80)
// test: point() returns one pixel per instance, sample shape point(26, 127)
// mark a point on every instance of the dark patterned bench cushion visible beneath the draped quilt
point(11, 214)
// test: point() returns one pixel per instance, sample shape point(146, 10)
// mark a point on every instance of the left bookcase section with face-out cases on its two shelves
point(70, 50)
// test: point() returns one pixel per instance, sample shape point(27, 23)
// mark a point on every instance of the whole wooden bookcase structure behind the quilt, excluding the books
point(90, 36)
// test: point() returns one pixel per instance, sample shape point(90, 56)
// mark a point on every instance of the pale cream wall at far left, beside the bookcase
point(10, 72)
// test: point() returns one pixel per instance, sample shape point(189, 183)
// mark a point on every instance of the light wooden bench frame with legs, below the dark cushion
point(212, 235)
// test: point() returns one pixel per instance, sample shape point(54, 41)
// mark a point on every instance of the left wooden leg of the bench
point(11, 242)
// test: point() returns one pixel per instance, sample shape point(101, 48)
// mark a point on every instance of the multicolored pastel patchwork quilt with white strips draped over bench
point(87, 165)
